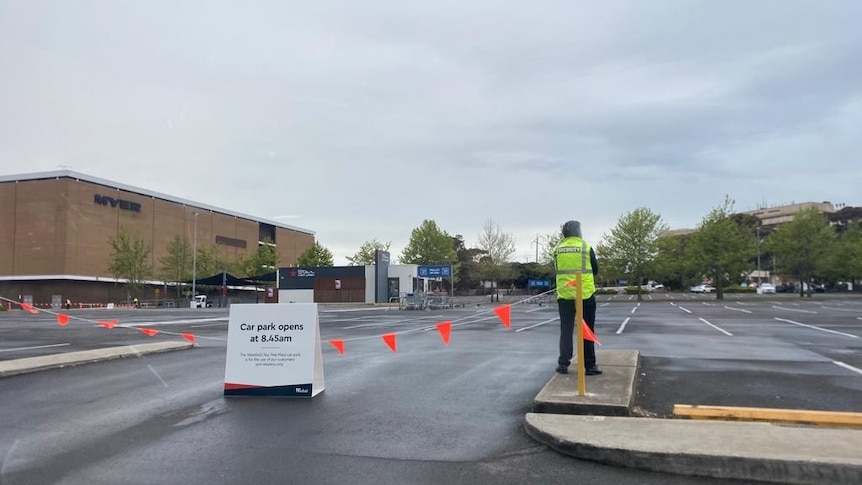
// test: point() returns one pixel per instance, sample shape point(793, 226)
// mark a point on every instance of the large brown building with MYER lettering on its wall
point(56, 227)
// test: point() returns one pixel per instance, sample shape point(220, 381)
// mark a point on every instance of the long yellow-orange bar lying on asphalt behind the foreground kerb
point(789, 416)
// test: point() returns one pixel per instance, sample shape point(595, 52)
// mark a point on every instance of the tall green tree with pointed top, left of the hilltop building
point(720, 248)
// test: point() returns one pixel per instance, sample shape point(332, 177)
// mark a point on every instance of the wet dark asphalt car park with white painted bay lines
point(427, 413)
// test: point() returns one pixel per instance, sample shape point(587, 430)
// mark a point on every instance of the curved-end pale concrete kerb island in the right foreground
point(748, 451)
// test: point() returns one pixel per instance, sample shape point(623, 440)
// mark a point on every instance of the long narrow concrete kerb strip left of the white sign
point(34, 364)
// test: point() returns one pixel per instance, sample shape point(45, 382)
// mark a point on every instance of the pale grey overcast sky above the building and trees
point(359, 119)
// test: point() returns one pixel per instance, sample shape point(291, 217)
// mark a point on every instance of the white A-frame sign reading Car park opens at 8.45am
point(273, 350)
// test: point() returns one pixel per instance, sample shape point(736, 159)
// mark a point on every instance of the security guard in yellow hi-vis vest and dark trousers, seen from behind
point(571, 256)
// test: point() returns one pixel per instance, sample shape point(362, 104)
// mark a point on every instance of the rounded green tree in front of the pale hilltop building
point(801, 246)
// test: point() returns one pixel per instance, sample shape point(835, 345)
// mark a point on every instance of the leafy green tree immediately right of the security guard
point(632, 245)
